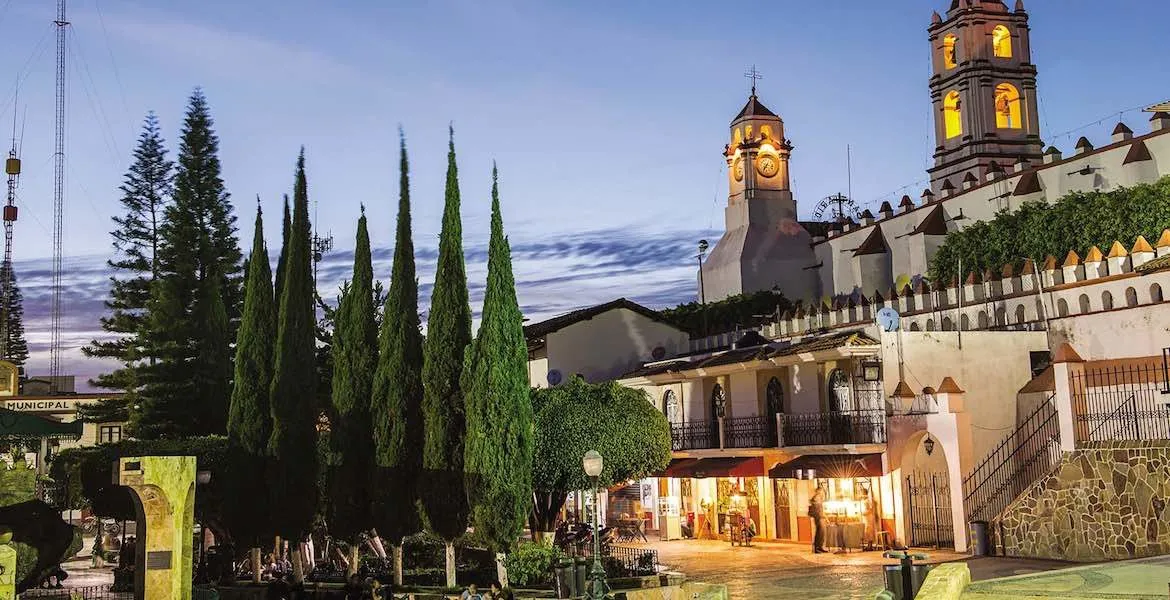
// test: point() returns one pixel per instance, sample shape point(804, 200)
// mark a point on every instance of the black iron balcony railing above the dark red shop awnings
point(799, 430)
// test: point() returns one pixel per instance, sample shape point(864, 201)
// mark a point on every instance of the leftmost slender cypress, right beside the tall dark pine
point(250, 423)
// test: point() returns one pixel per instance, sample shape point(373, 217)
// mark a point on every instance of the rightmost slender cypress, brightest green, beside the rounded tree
point(499, 447)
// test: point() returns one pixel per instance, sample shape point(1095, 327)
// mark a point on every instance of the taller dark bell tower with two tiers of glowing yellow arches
point(983, 91)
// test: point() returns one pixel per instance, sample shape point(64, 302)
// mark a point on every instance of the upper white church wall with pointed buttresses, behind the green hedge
point(900, 240)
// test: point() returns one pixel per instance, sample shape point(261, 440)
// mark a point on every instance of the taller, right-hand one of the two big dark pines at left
point(189, 353)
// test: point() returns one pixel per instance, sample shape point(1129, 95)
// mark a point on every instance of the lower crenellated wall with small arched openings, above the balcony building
point(1098, 288)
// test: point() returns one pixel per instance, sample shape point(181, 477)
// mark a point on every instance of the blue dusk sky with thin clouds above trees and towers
point(608, 121)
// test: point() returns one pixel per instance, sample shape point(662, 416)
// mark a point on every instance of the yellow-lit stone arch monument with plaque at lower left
point(164, 493)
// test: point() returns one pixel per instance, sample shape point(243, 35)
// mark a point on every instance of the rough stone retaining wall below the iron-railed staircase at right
point(1105, 502)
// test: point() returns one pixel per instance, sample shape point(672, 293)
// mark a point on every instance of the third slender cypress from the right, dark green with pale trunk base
point(397, 403)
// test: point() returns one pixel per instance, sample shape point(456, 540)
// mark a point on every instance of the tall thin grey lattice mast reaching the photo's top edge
point(59, 192)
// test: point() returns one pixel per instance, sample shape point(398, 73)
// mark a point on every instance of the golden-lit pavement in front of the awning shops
point(776, 570)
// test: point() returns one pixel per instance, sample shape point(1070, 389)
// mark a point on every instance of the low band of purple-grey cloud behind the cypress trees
point(553, 277)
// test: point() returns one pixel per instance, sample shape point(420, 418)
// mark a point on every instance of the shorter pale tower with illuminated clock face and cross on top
point(765, 246)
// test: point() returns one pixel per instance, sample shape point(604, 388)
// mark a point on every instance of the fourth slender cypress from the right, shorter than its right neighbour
point(352, 435)
